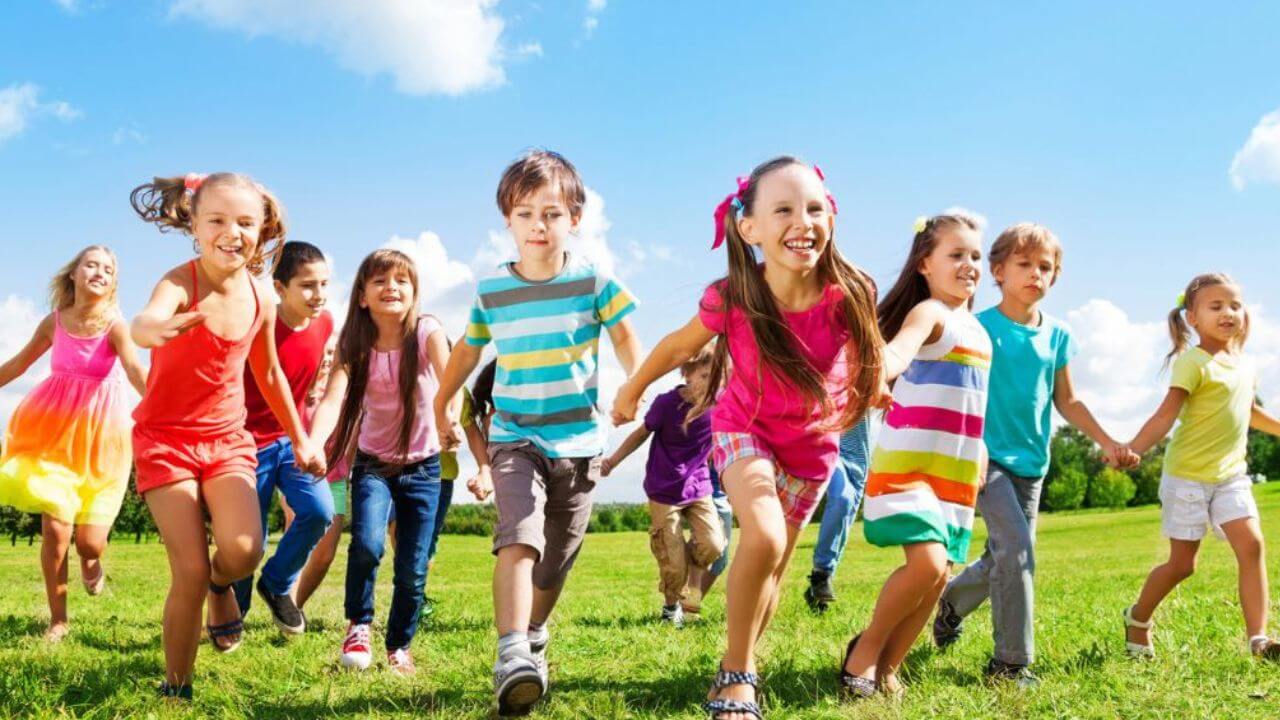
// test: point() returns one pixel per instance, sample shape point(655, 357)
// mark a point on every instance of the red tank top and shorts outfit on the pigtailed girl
point(191, 421)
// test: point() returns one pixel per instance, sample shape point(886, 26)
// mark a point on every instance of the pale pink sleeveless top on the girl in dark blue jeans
point(380, 431)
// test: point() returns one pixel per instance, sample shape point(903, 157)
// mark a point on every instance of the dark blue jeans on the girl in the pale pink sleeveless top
point(413, 494)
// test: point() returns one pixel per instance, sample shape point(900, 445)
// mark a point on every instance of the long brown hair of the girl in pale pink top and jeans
point(356, 345)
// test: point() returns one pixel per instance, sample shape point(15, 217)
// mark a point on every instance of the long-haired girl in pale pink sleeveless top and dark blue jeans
point(380, 398)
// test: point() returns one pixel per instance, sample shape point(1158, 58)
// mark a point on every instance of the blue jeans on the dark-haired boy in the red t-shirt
point(313, 514)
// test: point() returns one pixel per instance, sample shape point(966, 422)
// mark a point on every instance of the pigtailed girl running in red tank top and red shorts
point(204, 322)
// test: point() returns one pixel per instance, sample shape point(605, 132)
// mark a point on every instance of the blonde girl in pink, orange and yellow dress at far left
point(67, 453)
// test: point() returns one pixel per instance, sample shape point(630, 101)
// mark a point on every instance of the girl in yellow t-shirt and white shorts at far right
point(1205, 484)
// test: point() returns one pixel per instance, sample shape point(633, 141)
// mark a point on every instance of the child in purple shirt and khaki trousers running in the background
point(679, 485)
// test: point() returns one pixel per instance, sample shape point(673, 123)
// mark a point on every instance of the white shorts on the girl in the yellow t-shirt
point(1188, 508)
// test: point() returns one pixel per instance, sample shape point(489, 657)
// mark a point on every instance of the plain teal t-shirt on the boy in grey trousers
point(1023, 366)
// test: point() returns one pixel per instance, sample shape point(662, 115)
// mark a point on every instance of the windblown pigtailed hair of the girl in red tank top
point(170, 206)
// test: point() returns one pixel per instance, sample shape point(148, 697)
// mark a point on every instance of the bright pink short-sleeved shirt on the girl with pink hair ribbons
point(758, 403)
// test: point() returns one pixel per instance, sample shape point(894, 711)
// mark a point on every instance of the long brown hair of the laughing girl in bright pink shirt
point(744, 289)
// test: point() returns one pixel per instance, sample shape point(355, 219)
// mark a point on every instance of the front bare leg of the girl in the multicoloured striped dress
point(903, 596)
